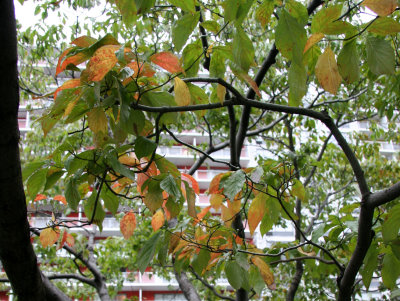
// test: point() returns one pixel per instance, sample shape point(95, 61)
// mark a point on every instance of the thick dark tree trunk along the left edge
point(16, 252)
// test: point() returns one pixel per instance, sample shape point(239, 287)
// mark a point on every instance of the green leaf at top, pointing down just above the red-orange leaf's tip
point(182, 29)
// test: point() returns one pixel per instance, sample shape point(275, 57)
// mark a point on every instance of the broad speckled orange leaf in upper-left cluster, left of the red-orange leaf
point(103, 60)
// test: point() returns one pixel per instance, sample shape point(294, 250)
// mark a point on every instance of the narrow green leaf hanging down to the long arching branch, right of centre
point(297, 83)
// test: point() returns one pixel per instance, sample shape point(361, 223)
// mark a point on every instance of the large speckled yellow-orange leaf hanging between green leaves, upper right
point(327, 71)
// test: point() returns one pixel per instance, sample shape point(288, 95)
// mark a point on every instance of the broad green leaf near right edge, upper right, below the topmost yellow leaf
point(380, 56)
